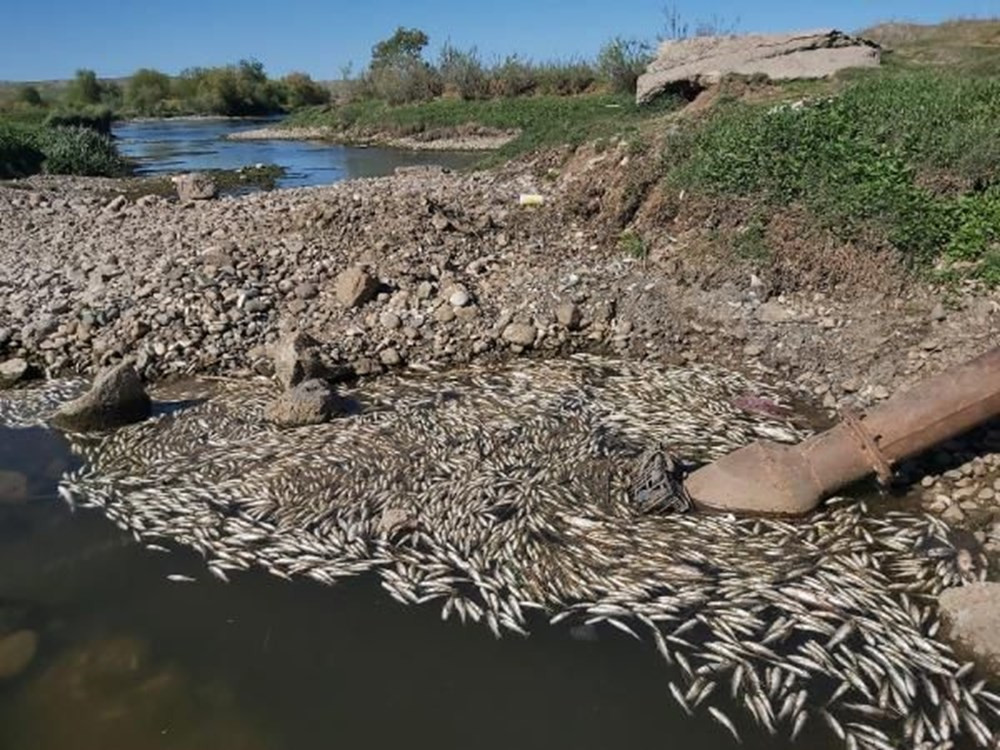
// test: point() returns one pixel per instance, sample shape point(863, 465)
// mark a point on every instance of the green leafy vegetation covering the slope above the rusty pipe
point(908, 158)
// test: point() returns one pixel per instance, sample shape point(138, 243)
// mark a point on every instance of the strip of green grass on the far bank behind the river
point(542, 120)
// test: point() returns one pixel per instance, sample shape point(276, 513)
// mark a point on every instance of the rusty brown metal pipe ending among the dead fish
point(767, 477)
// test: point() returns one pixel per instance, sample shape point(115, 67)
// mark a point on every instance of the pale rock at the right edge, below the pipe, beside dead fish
point(970, 615)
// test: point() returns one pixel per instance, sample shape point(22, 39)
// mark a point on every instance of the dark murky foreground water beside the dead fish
point(129, 660)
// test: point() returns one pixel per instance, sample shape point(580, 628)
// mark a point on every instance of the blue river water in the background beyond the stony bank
point(166, 146)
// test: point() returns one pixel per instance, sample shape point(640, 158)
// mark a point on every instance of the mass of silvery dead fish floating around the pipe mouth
point(497, 493)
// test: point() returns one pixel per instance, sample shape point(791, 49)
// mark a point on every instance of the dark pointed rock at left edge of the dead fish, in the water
point(116, 398)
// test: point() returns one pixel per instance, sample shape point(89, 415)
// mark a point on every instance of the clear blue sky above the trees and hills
point(48, 39)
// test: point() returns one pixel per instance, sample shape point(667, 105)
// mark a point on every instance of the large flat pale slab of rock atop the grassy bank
point(702, 61)
